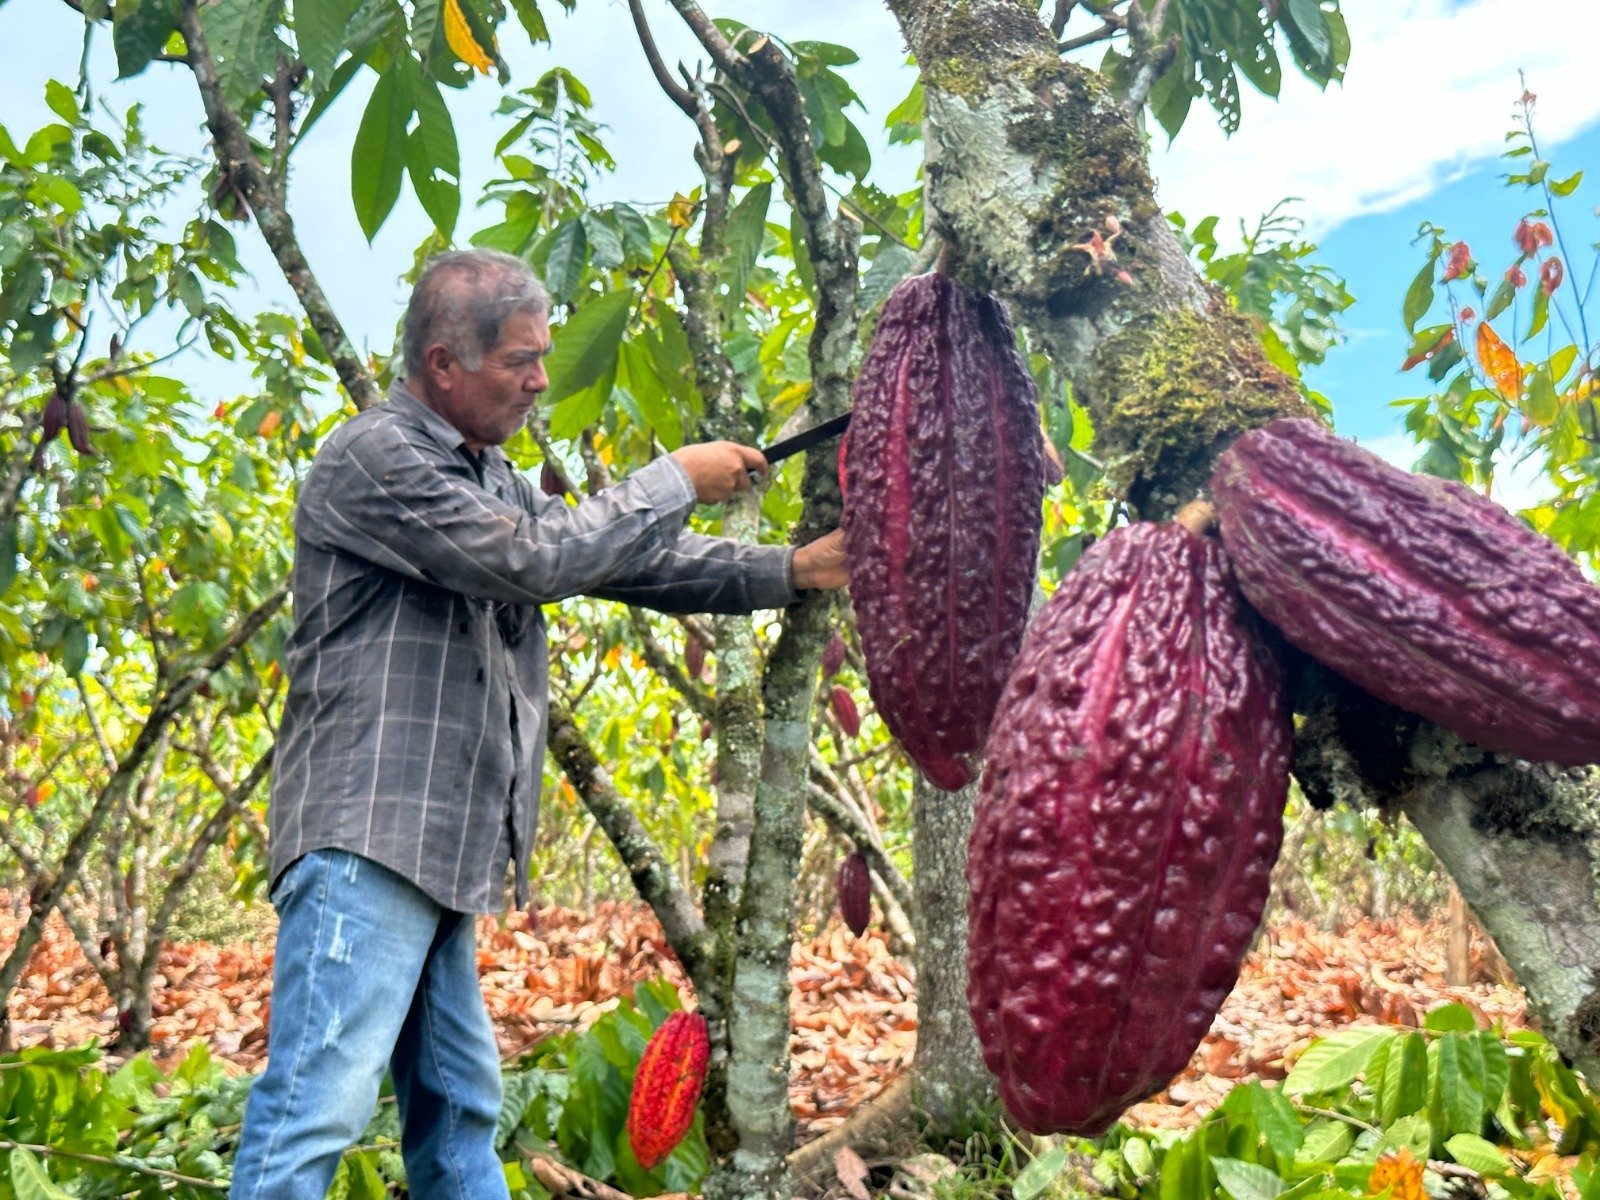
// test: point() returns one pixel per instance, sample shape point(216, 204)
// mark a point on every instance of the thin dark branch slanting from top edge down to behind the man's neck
point(238, 159)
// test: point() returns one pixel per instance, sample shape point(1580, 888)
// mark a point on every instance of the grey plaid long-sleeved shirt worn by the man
point(415, 724)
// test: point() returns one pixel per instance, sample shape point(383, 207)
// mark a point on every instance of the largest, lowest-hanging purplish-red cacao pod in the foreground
point(1130, 817)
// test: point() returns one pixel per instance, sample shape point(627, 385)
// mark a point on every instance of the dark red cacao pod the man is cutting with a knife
point(943, 487)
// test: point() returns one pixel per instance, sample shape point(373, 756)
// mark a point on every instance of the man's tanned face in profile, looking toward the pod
point(492, 404)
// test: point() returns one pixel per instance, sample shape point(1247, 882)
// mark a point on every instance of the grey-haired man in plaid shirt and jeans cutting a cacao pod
point(415, 724)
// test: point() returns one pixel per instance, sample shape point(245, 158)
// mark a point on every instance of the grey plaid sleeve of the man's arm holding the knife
point(412, 508)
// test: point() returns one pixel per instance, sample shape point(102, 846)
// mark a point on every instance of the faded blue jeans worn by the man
point(372, 974)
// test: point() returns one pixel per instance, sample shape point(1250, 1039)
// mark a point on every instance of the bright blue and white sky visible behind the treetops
point(1412, 135)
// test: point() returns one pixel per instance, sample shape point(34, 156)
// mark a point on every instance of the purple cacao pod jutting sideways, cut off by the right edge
point(1417, 590)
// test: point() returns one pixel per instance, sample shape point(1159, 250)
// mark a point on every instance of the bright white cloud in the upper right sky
point(1430, 90)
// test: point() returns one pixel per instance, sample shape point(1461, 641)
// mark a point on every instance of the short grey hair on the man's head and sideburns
point(463, 298)
